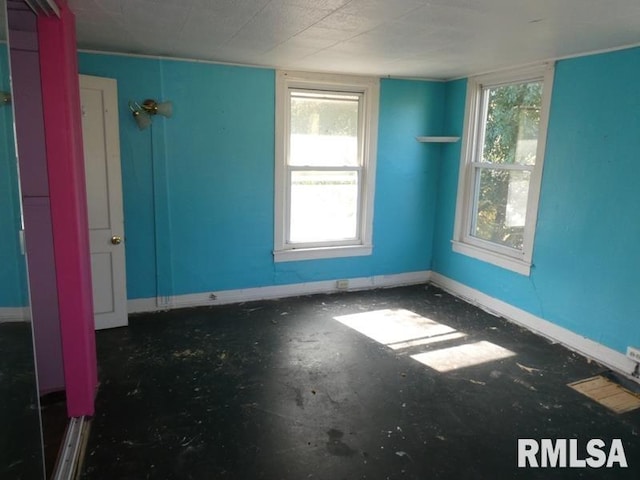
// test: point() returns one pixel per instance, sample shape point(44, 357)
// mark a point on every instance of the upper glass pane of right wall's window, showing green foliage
point(511, 123)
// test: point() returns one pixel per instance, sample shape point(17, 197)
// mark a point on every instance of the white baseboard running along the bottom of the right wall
point(582, 345)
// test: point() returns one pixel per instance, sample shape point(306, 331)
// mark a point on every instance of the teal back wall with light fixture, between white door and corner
point(202, 182)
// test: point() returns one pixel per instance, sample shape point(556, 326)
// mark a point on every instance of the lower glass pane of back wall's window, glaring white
point(324, 206)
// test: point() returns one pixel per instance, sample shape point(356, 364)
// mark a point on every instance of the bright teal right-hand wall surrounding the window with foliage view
point(586, 257)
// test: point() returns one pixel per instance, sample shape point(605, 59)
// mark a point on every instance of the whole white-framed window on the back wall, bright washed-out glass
point(326, 133)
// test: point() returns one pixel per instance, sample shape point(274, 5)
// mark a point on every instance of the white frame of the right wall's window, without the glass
point(474, 126)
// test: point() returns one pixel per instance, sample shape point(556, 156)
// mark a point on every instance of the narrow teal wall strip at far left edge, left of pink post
point(13, 290)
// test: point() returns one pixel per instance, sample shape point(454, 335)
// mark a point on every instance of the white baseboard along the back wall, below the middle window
point(276, 291)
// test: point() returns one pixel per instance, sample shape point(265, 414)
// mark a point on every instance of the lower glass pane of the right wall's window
point(501, 206)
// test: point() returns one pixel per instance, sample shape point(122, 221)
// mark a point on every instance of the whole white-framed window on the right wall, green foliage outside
point(501, 166)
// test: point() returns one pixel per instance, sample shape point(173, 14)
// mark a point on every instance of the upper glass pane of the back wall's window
point(324, 130)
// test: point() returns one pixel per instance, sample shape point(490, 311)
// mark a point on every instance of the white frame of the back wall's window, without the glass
point(369, 90)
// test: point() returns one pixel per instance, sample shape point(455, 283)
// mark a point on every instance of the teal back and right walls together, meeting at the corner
point(206, 192)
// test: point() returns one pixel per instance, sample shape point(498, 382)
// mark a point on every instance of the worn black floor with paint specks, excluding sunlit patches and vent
point(281, 390)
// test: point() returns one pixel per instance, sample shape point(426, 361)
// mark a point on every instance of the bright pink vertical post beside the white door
point(63, 134)
